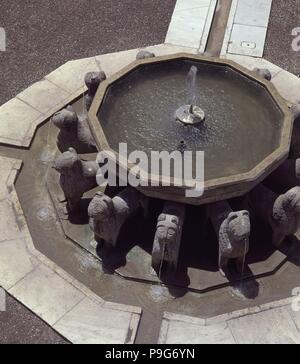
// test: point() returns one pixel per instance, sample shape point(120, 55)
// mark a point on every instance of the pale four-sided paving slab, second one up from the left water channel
point(43, 96)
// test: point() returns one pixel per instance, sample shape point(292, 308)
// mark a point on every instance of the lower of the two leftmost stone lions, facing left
point(76, 177)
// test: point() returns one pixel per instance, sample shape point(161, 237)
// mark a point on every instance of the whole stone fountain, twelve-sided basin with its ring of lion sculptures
point(191, 103)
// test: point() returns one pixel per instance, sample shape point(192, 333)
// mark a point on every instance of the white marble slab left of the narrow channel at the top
point(190, 21)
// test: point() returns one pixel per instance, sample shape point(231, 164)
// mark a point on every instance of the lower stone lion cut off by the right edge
point(281, 212)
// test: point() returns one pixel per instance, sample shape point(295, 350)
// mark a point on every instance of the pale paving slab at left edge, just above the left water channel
point(16, 118)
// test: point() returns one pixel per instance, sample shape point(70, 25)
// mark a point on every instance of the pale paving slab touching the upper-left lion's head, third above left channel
point(70, 76)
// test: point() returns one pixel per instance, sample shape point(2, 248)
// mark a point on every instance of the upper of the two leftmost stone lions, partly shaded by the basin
point(74, 132)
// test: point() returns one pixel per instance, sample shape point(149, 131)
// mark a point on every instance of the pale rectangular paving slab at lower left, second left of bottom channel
point(46, 294)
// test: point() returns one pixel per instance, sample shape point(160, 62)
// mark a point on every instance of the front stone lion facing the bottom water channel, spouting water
point(167, 238)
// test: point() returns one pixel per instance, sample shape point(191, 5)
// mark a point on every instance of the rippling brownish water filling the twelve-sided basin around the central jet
point(242, 122)
